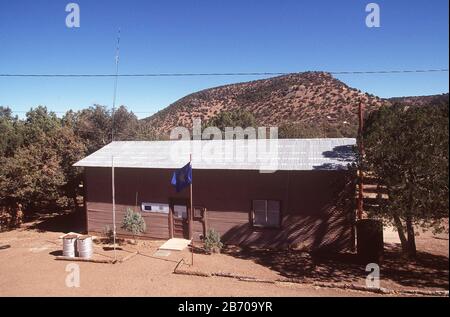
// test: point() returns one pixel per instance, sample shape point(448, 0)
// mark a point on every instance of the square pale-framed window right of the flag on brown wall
point(266, 213)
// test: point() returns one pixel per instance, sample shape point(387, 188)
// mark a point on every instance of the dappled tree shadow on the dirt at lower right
point(427, 271)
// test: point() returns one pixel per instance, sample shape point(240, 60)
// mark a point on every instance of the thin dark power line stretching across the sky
point(380, 72)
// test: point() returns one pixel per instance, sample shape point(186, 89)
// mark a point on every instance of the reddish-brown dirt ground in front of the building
point(28, 268)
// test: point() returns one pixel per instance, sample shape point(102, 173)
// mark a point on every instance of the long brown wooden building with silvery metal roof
point(288, 193)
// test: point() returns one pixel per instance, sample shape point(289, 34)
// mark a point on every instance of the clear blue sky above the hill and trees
point(196, 36)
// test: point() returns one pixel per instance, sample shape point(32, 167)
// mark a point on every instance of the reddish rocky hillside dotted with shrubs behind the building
point(308, 99)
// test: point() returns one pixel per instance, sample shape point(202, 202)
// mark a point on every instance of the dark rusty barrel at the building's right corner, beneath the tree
point(369, 239)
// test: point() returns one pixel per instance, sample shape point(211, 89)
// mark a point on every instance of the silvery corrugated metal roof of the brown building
point(270, 155)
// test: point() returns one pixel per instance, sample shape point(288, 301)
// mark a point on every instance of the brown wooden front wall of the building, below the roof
point(316, 206)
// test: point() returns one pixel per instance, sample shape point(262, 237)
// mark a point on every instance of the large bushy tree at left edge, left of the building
point(36, 168)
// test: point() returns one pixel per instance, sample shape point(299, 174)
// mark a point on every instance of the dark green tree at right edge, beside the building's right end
point(407, 150)
